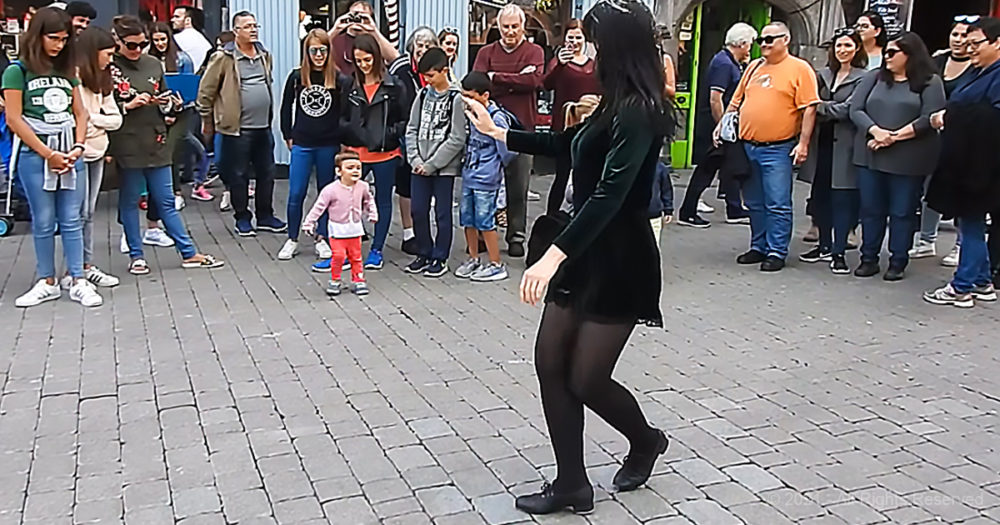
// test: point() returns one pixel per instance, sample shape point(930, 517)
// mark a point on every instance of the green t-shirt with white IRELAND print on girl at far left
point(48, 98)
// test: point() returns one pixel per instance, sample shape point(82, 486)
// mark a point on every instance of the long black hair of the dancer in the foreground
point(629, 63)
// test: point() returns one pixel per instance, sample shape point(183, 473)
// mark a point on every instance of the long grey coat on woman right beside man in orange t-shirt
point(835, 107)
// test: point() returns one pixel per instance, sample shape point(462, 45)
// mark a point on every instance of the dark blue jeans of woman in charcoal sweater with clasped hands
point(892, 199)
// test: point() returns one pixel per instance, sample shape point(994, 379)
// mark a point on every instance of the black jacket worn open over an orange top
point(379, 125)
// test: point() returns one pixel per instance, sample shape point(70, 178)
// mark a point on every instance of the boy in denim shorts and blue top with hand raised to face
point(482, 174)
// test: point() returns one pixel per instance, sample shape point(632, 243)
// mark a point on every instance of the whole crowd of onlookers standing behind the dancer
point(874, 133)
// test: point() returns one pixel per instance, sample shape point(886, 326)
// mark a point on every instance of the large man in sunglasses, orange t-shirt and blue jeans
point(776, 101)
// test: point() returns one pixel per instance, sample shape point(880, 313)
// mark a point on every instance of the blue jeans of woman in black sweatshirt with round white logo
point(299, 171)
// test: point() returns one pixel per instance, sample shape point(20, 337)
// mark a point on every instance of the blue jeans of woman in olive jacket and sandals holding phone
point(159, 182)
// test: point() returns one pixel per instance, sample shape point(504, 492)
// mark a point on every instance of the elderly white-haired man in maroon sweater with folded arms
point(516, 68)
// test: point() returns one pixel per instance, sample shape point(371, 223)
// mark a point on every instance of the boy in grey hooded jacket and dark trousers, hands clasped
point(435, 138)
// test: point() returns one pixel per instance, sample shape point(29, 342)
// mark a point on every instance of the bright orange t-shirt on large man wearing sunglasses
point(776, 95)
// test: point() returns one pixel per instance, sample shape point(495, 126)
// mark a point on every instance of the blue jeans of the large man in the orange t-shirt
point(768, 196)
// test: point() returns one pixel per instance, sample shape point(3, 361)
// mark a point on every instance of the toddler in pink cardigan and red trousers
point(344, 200)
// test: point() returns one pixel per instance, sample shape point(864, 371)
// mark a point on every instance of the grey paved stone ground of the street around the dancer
point(244, 395)
